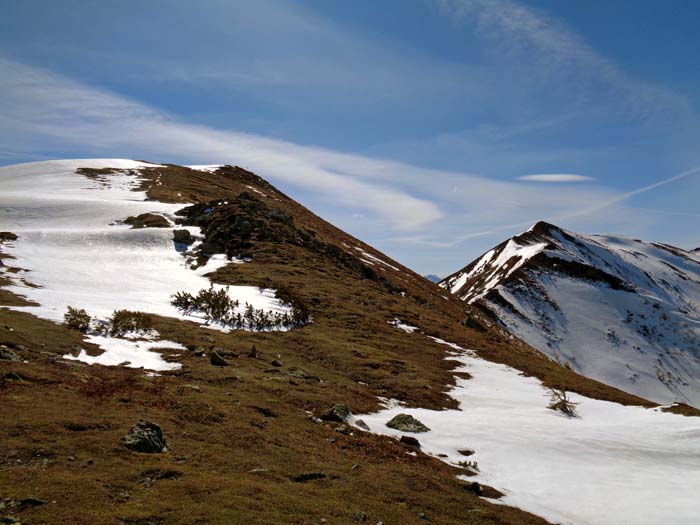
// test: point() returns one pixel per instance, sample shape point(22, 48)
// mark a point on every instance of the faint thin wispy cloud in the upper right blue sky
point(552, 53)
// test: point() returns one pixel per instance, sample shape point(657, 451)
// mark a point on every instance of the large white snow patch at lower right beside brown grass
point(612, 464)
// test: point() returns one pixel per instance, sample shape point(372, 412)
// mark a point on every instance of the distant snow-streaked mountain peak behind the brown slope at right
point(622, 311)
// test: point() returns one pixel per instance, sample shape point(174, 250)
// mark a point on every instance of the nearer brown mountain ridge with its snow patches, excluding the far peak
point(250, 413)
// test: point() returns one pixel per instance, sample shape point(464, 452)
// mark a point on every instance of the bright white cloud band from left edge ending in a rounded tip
point(54, 110)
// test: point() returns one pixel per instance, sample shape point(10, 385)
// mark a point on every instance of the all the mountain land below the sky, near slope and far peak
point(191, 345)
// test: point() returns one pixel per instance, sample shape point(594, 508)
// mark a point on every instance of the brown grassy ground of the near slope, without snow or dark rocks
point(239, 433)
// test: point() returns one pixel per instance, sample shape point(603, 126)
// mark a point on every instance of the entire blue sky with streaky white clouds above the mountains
point(431, 129)
